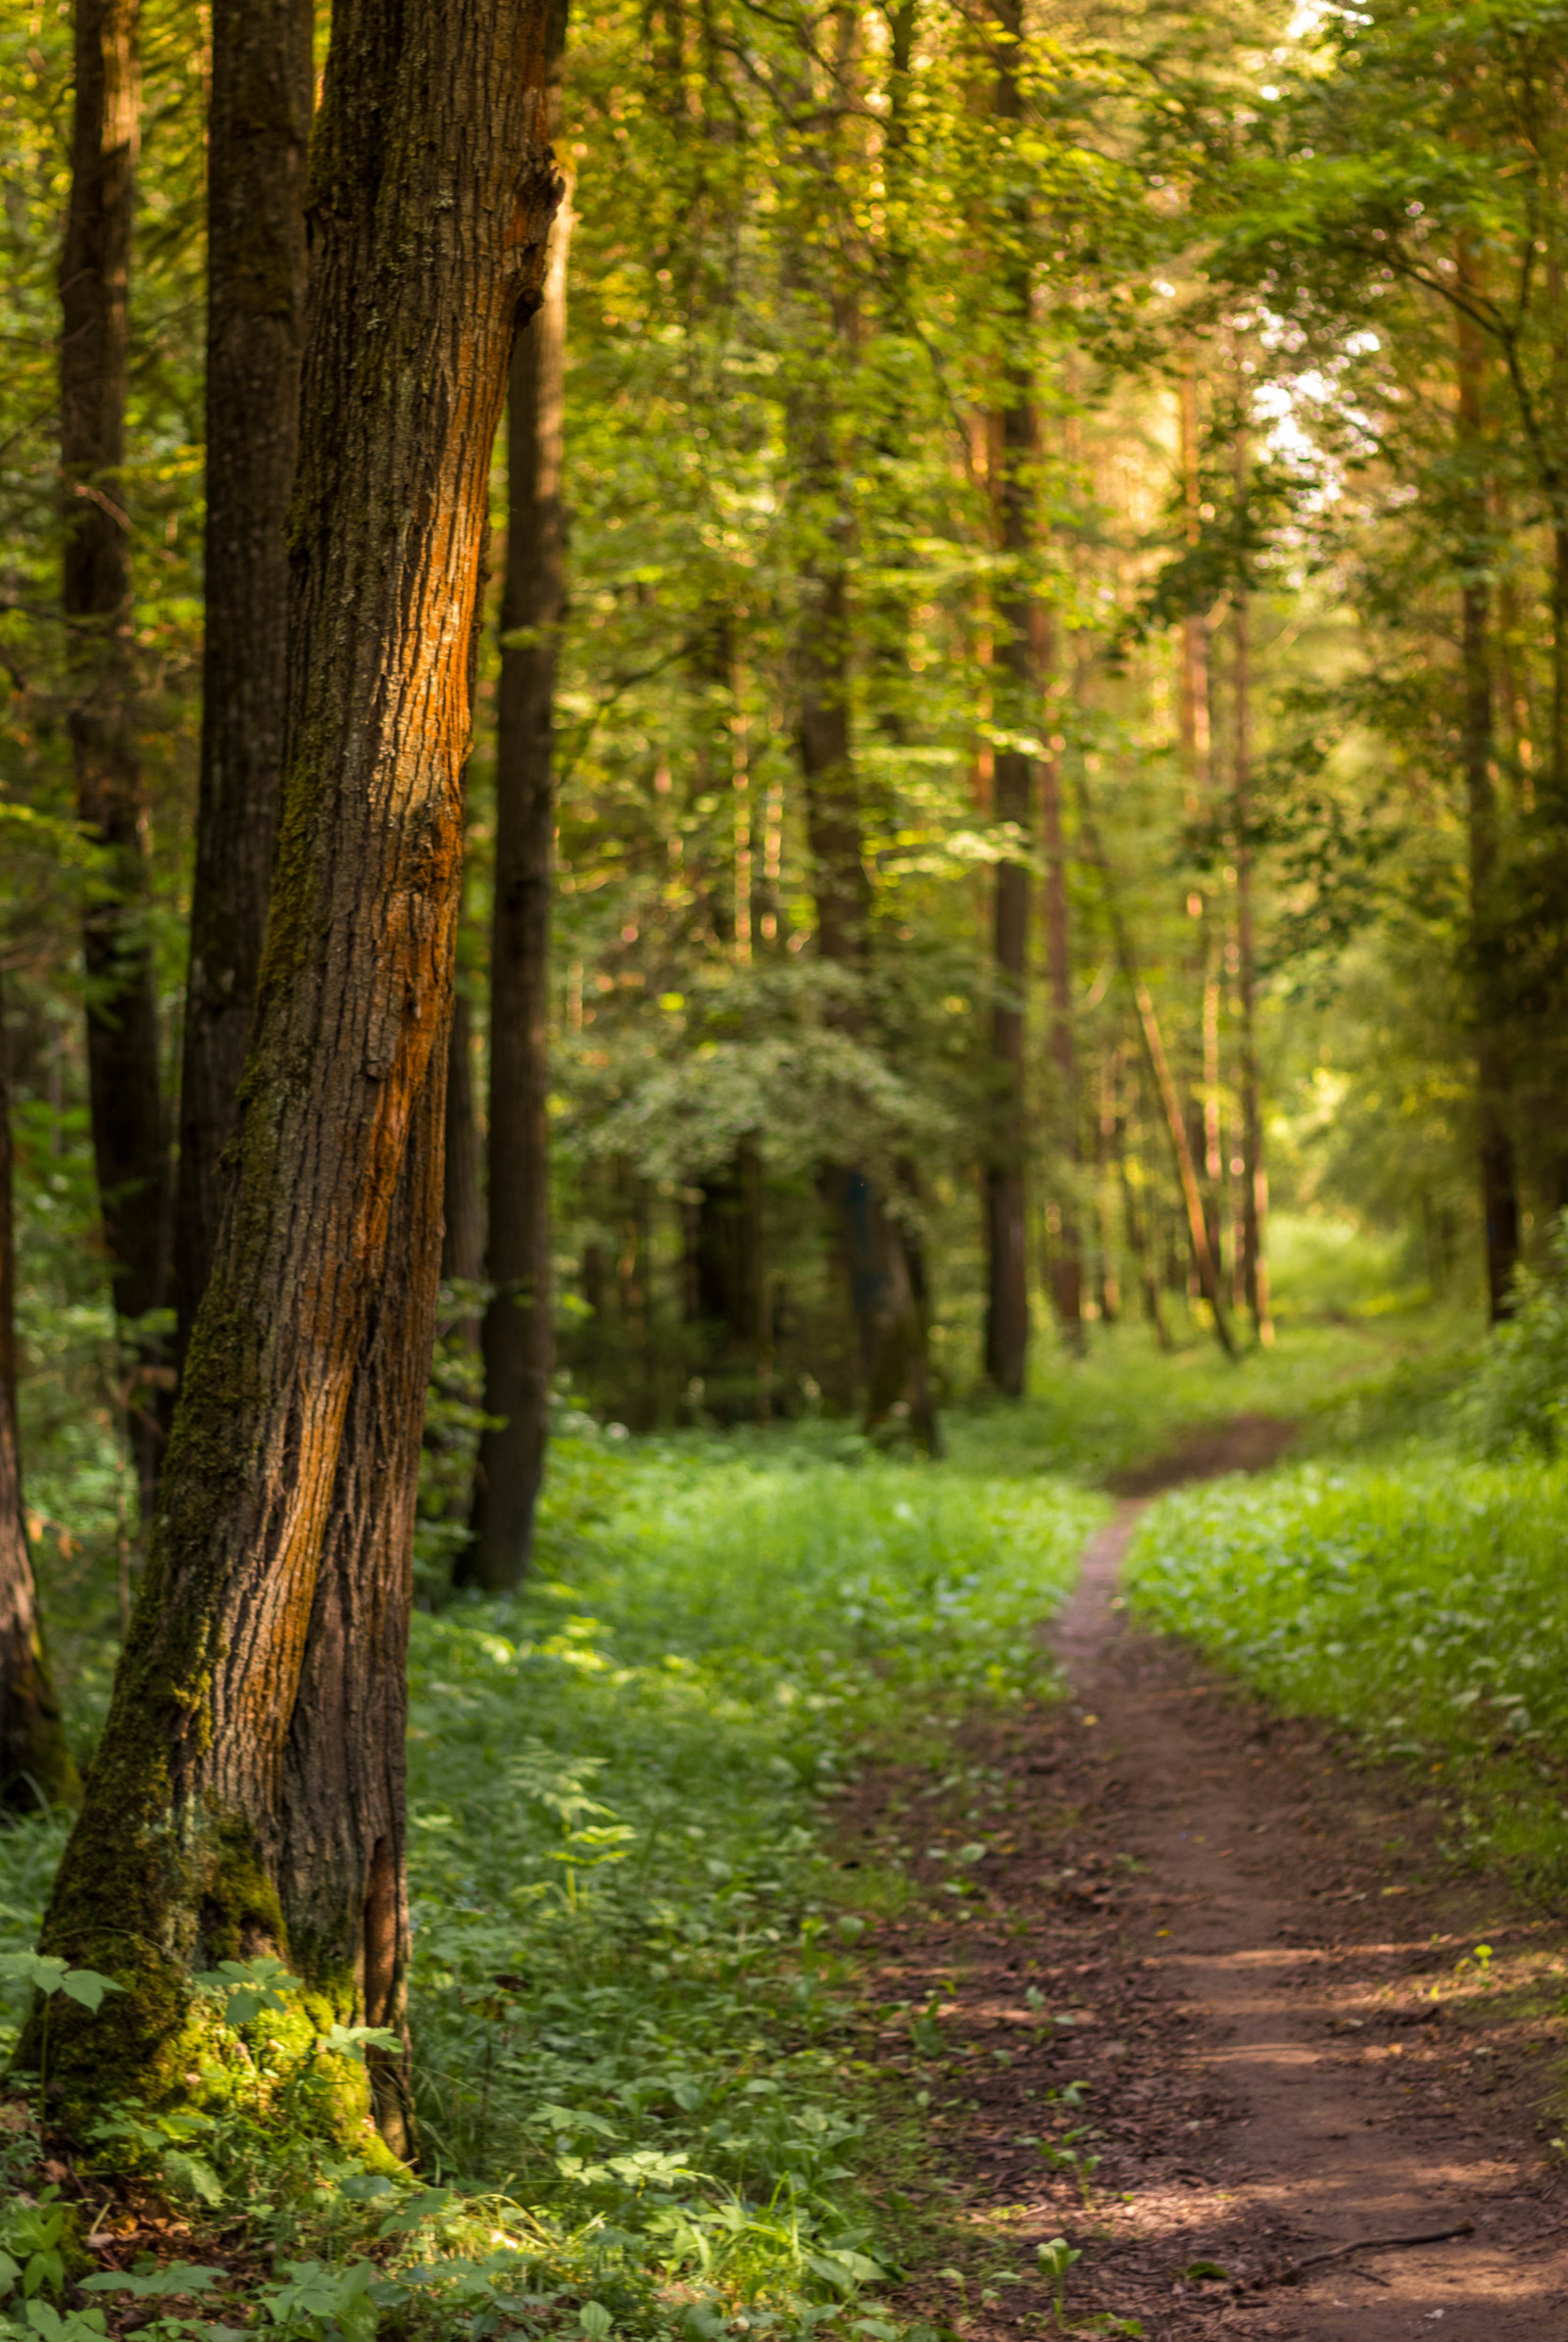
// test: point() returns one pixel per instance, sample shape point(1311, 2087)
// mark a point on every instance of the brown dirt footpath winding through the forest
point(1286, 2034)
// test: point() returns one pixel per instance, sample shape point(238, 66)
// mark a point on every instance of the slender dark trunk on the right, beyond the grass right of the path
point(1497, 1146)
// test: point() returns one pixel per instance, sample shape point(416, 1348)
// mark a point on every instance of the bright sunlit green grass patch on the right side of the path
point(1414, 1598)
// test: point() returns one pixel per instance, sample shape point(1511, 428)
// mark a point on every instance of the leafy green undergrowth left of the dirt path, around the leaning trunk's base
point(639, 2062)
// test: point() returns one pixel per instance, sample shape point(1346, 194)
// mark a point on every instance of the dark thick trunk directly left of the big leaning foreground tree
point(259, 130)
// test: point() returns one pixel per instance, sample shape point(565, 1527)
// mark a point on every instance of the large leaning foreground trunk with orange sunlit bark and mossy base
point(432, 193)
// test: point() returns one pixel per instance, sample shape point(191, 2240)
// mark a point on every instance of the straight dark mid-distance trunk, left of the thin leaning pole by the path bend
point(1007, 1317)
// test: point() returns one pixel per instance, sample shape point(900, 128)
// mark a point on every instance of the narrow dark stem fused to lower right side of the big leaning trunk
point(341, 1863)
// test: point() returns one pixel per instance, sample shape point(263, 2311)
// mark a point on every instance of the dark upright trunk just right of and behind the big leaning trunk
point(519, 1322)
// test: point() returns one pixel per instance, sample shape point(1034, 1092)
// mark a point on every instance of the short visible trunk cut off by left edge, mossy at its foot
point(36, 1765)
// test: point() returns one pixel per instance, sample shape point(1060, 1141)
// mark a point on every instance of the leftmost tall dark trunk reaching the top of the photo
point(123, 1064)
